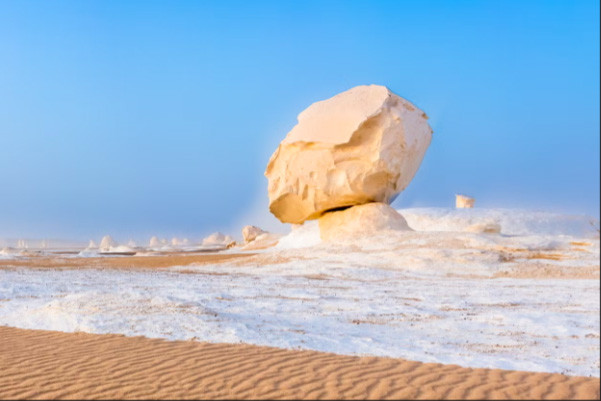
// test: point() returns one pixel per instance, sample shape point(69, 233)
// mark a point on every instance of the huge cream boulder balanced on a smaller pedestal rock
point(363, 145)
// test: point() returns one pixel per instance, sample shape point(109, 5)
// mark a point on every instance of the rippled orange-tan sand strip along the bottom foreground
point(44, 364)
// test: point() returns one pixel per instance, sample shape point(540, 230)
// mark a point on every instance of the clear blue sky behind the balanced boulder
point(143, 117)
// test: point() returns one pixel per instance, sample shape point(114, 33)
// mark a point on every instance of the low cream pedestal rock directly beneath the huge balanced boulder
point(360, 221)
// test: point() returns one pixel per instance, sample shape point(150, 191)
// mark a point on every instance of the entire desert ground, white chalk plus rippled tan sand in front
point(443, 311)
